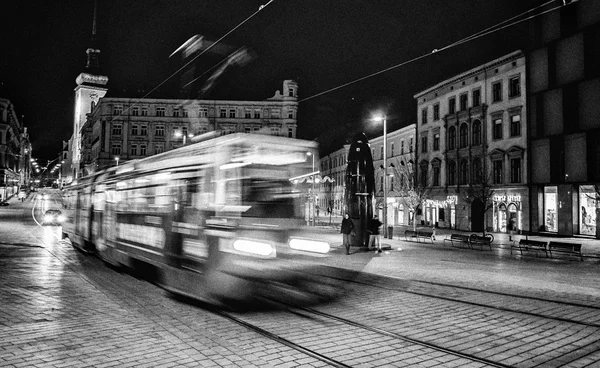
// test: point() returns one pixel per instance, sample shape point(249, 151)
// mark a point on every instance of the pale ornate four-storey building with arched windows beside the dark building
point(471, 142)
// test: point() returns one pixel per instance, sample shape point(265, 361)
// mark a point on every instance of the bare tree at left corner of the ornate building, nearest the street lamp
point(413, 190)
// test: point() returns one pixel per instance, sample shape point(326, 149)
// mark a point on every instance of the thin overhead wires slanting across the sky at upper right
point(485, 32)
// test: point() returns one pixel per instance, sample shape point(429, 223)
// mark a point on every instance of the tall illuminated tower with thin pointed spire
point(90, 88)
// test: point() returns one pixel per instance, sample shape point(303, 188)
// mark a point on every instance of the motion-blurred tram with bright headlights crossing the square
point(220, 219)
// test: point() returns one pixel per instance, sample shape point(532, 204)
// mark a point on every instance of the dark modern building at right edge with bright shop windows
point(563, 94)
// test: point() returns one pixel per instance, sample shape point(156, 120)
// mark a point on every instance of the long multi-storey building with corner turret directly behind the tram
point(120, 129)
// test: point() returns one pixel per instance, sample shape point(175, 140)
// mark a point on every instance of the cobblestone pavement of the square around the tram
point(61, 308)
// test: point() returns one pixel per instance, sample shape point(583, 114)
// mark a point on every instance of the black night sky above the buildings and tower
point(322, 44)
